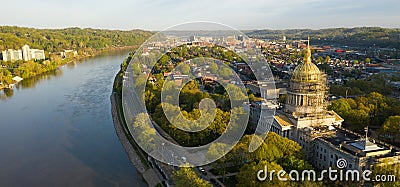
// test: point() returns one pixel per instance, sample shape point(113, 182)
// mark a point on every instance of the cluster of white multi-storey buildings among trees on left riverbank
point(25, 53)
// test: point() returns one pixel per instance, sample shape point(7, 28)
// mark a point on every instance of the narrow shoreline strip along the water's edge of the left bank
point(73, 60)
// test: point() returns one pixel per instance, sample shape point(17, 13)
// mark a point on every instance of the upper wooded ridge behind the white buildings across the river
point(53, 40)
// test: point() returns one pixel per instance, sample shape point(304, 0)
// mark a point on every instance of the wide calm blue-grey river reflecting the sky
point(57, 130)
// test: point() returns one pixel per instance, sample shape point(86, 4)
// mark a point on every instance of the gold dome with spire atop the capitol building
point(307, 71)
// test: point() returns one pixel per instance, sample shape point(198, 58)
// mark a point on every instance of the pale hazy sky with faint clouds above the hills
point(160, 14)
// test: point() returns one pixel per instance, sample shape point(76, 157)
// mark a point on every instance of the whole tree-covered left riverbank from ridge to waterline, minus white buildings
point(87, 42)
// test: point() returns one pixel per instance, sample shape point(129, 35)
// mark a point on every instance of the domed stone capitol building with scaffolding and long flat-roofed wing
point(306, 120)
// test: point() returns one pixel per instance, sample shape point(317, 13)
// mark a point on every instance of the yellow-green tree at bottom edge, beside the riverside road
point(185, 176)
